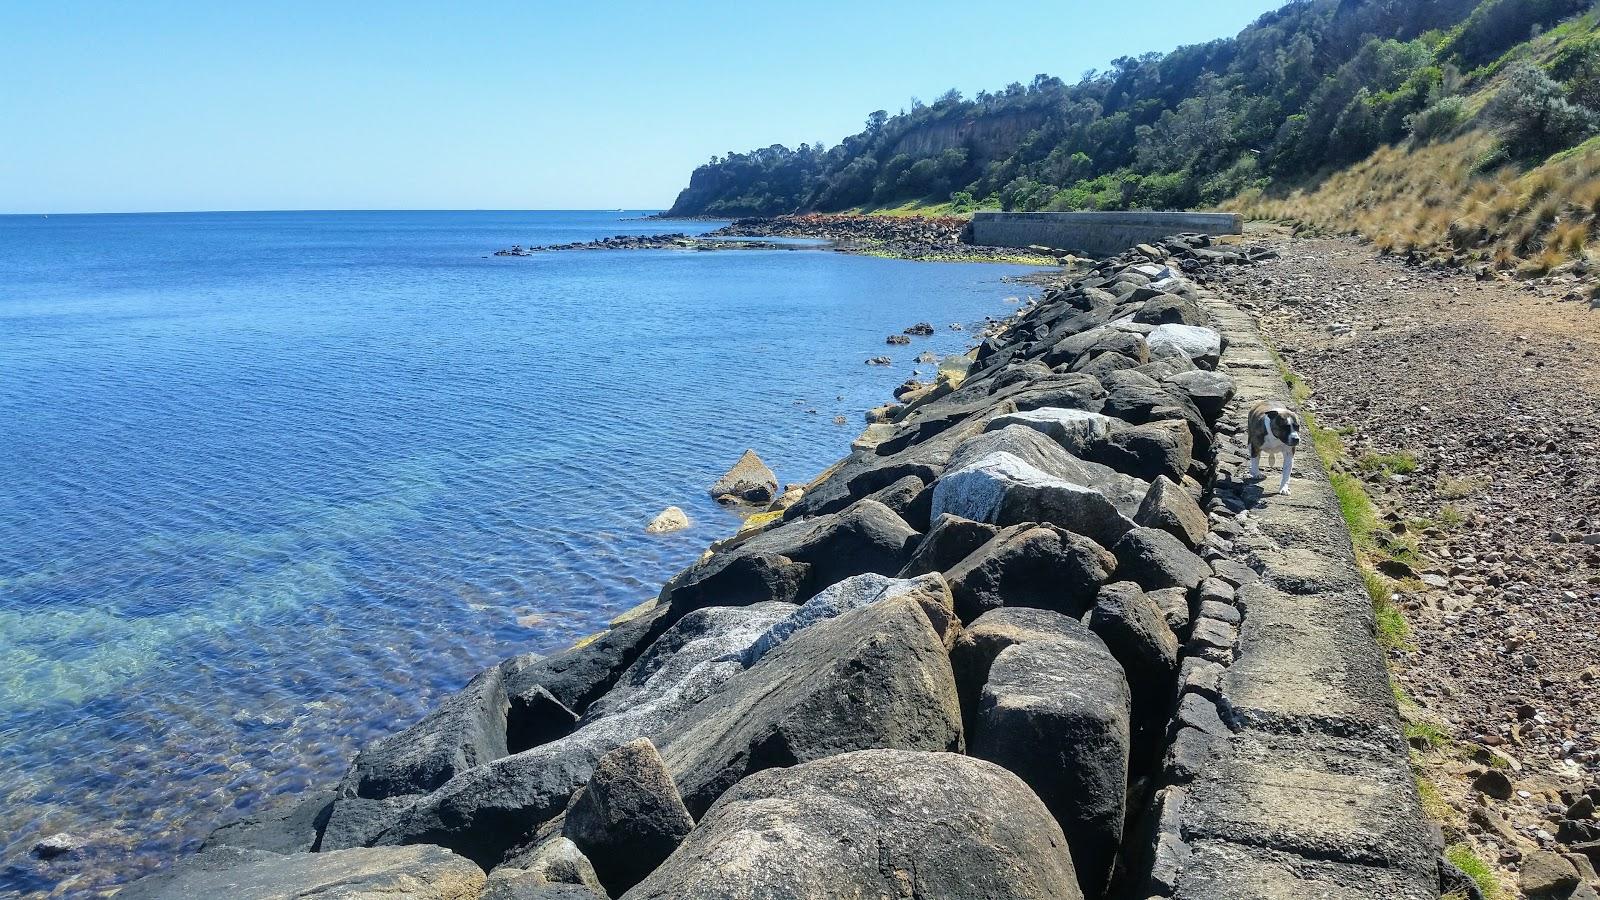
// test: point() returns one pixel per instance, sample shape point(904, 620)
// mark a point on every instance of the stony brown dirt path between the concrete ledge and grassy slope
point(1495, 390)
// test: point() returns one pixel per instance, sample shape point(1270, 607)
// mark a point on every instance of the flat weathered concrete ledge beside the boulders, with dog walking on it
point(1311, 792)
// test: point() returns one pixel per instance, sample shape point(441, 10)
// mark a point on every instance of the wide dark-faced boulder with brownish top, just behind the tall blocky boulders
point(1031, 566)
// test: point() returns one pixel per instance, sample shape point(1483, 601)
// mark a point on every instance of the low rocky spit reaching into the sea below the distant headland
point(900, 238)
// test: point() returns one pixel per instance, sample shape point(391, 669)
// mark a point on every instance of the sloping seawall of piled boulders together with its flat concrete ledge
point(1036, 637)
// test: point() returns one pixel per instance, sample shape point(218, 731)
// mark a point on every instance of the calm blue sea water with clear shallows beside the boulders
point(273, 483)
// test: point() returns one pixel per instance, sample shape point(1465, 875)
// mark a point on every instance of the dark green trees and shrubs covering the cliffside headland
point(1310, 89)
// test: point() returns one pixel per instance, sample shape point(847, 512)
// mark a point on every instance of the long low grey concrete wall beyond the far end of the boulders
point(1098, 235)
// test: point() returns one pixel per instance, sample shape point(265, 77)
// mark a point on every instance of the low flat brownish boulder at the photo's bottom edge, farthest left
point(422, 874)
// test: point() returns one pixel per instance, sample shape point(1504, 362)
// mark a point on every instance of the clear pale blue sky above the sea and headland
point(340, 105)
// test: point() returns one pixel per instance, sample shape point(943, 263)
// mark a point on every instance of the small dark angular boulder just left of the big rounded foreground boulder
point(630, 818)
